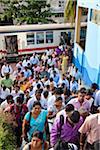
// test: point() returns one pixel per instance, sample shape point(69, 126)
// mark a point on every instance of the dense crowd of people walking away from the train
point(52, 110)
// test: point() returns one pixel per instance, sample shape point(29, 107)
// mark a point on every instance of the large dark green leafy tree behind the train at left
point(26, 11)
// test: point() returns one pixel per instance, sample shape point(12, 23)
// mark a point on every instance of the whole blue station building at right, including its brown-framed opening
point(87, 52)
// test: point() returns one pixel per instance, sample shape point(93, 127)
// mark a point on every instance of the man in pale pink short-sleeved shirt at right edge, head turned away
point(90, 129)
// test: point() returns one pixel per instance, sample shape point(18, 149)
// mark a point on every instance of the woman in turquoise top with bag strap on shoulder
point(36, 121)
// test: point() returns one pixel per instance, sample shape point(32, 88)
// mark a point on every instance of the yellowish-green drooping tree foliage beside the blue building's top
point(70, 11)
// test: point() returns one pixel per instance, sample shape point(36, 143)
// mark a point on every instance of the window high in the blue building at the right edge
point(95, 16)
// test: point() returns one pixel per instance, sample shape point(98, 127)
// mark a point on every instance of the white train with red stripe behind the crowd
point(26, 39)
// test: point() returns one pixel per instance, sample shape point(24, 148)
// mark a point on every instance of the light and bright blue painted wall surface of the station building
point(88, 60)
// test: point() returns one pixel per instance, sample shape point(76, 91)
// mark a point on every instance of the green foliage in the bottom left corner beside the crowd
point(7, 137)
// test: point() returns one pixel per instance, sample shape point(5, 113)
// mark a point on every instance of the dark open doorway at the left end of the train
point(11, 45)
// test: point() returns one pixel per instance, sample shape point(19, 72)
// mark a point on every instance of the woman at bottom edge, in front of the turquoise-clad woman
point(37, 142)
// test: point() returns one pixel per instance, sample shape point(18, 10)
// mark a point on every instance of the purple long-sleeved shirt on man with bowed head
point(68, 133)
